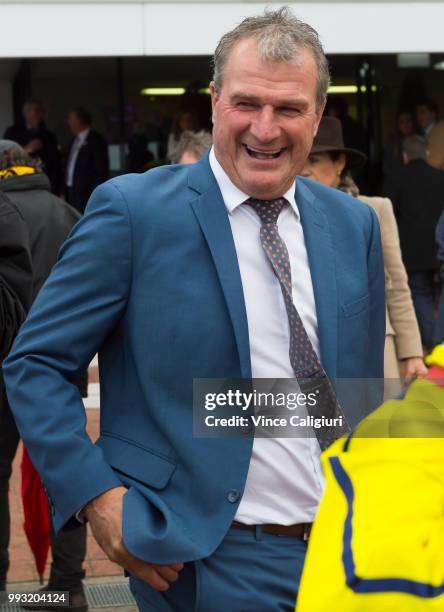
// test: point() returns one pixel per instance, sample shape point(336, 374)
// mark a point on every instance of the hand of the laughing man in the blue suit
point(104, 513)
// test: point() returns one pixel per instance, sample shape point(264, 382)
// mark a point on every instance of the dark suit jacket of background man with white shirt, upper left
point(90, 170)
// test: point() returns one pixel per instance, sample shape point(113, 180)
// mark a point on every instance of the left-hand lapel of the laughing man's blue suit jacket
point(212, 216)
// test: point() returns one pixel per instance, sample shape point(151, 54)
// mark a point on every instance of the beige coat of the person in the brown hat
point(402, 332)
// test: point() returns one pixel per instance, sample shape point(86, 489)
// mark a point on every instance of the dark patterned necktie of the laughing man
point(303, 358)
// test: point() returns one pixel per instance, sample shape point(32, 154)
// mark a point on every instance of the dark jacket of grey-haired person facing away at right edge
point(417, 193)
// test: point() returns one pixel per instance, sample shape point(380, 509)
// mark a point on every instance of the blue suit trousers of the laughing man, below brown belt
point(248, 572)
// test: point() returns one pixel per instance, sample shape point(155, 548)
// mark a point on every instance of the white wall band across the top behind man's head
point(120, 28)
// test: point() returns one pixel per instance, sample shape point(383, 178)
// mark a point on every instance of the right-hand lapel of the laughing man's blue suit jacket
point(323, 273)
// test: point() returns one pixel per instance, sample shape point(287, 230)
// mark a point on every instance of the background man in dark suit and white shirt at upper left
point(88, 164)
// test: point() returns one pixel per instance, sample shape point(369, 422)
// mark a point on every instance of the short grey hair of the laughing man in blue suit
point(280, 36)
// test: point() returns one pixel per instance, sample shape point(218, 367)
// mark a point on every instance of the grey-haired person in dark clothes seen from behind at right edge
point(416, 190)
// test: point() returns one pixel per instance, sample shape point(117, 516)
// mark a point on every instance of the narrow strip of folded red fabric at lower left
point(35, 510)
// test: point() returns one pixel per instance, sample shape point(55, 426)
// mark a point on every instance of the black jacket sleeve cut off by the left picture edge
point(15, 273)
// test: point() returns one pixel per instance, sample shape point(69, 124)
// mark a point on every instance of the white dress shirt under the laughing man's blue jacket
point(285, 479)
